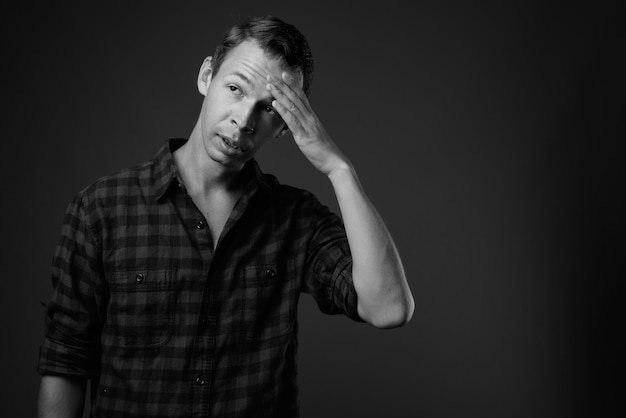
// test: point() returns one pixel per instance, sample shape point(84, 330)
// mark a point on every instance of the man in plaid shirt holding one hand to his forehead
point(176, 282)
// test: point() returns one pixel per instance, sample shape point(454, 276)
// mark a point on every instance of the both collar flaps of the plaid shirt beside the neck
point(165, 172)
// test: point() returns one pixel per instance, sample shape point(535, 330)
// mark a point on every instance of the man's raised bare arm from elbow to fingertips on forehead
point(384, 297)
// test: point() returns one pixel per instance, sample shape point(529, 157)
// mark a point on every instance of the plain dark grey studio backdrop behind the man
point(472, 129)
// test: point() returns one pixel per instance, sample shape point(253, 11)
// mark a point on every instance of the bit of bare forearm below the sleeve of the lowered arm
point(61, 397)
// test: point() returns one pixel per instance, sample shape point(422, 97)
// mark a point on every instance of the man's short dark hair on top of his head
point(279, 39)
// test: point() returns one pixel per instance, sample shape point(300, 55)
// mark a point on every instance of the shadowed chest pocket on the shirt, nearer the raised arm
point(269, 304)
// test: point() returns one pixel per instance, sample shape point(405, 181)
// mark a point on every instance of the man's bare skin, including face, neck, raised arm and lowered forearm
point(247, 103)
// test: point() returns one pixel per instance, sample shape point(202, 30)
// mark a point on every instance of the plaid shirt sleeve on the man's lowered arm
point(73, 321)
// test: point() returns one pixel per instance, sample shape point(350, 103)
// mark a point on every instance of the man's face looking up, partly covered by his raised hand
point(237, 115)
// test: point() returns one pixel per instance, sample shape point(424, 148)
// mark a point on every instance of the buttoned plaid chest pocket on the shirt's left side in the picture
point(141, 312)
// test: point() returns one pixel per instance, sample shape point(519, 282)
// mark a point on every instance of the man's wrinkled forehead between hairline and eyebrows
point(250, 60)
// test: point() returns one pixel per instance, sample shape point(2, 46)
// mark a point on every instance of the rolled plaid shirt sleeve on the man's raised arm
point(329, 274)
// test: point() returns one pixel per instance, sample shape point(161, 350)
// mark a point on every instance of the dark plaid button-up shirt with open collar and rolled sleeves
point(165, 324)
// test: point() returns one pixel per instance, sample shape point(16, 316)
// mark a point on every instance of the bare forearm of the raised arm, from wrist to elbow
point(384, 297)
